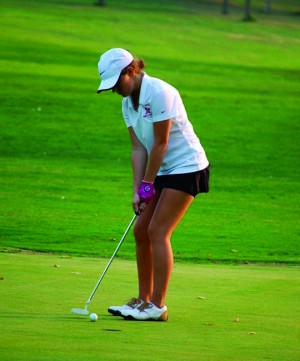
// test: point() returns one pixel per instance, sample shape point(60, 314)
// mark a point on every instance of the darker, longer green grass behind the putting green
point(65, 153)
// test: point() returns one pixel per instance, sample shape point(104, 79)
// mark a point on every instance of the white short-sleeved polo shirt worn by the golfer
point(160, 101)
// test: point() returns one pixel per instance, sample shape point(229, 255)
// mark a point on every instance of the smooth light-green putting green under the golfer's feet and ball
point(217, 313)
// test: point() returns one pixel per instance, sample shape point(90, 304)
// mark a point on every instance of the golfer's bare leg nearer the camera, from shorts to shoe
point(170, 208)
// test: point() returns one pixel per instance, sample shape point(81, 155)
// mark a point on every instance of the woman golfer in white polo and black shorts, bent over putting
point(169, 169)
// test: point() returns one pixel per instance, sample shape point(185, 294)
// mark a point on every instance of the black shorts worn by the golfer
point(191, 183)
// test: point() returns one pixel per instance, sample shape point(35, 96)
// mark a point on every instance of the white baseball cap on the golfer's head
point(110, 65)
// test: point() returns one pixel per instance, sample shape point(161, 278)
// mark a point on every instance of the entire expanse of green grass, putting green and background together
point(65, 181)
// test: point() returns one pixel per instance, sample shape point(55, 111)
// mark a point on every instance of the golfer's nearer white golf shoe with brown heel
point(146, 312)
